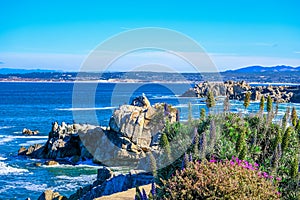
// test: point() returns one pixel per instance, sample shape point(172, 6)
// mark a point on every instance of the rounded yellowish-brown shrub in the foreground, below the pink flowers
point(233, 179)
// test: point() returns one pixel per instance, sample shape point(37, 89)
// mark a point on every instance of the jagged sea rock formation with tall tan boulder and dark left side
point(133, 131)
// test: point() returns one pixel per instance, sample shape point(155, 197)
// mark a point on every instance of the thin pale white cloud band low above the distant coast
point(141, 60)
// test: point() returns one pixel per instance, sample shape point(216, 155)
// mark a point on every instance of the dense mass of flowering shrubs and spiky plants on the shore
point(269, 150)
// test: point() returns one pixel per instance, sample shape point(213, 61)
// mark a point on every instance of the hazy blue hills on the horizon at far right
point(256, 69)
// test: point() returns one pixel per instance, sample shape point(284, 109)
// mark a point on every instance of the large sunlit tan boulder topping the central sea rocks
point(142, 122)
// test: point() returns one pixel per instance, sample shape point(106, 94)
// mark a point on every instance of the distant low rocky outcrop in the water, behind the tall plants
point(237, 90)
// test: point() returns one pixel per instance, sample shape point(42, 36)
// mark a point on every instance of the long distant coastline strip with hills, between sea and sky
point(257, 74)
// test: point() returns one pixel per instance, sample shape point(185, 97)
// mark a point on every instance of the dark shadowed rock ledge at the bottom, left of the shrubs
point(108, 183)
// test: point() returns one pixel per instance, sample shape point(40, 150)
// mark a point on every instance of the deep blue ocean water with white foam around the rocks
point(36, 105)
